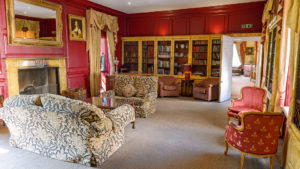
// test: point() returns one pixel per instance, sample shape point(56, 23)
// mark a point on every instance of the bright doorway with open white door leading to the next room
point(237, 71)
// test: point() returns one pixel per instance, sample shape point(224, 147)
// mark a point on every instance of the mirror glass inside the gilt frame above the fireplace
point(34, 22)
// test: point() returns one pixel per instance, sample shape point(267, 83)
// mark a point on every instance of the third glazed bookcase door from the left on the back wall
point(164, 49)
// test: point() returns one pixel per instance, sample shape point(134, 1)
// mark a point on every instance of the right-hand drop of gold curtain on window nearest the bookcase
point(112, 47)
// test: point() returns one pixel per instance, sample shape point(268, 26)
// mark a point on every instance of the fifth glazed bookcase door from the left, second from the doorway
point(199, 57)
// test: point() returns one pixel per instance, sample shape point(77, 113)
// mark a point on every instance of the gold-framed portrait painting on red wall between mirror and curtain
point(77, 29)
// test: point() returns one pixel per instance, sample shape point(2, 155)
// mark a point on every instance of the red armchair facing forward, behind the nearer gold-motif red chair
point(252, 100)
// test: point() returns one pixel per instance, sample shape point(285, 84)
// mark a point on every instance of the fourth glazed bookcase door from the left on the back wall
point(181, 55)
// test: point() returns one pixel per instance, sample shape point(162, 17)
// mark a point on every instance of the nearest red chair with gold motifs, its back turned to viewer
point(257, 135)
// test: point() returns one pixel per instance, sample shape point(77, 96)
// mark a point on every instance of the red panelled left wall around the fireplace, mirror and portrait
point(74, 51)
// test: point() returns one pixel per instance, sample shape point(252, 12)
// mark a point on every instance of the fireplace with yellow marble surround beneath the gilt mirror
point(36, 76)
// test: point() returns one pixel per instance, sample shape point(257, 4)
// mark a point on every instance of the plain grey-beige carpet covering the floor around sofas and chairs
point(183, 134)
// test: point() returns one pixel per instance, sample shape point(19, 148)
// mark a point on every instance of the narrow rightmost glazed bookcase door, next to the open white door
point(215, 58)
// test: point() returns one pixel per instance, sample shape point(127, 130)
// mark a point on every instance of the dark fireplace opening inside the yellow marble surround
point(39, 80)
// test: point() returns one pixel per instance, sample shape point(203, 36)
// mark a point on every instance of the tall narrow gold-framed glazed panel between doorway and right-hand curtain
point(271, 59)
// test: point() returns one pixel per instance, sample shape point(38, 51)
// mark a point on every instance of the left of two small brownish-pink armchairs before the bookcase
point(168, 86)
